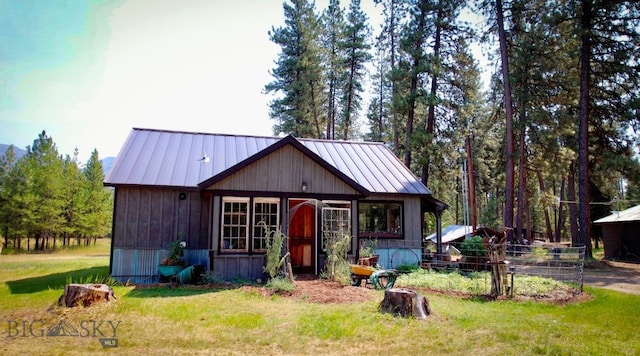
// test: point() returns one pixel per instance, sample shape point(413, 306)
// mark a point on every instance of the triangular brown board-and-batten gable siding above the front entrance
point(284, 171)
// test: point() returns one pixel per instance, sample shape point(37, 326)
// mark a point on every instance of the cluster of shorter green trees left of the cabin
point(52, 200)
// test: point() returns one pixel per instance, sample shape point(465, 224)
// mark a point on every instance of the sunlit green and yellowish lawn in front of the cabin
point(237, 321)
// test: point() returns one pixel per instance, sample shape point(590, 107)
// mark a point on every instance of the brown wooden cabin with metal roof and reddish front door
point(211, 191)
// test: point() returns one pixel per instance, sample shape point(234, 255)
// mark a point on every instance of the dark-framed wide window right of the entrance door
point(380, 220)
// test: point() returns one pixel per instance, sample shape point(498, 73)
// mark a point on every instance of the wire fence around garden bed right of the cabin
point(558, 262)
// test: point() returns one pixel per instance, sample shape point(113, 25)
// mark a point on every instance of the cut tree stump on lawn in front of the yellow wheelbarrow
point(405, 303)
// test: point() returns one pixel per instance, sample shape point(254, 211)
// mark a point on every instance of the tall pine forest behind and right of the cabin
point(550, 145)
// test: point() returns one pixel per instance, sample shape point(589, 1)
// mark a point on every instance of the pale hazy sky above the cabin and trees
point(87, 72)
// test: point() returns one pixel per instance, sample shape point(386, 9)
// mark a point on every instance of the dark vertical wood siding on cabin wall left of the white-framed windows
point(153, 218)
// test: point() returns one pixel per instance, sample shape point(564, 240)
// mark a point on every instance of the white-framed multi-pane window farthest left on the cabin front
point(235, 228)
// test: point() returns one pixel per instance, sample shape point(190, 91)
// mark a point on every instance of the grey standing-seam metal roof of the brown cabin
point(186, 159)
